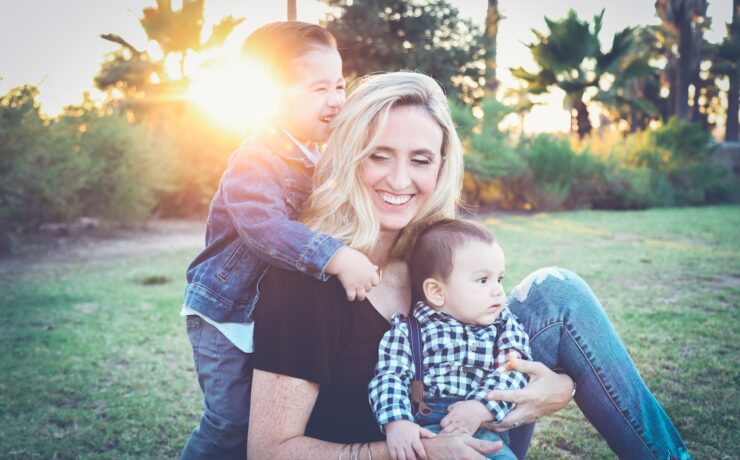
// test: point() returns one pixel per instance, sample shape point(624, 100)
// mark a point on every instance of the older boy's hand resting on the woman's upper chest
point(355, 271)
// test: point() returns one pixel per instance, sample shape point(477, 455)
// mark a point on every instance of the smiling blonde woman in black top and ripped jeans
point(394, 164)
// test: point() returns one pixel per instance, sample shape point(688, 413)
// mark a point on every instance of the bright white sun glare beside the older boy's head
point(239, 94)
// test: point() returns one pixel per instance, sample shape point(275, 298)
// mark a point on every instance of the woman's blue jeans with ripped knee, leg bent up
point(569, 332)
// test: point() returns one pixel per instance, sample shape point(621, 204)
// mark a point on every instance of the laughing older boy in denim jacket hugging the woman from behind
point(252, 224)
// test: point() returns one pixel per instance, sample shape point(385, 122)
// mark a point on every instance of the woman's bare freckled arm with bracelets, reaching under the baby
point(279, 413)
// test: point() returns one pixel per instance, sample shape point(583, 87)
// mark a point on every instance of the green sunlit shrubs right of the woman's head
point(666, 167)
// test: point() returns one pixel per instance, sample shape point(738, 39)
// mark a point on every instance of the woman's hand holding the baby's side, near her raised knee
point(546, 393)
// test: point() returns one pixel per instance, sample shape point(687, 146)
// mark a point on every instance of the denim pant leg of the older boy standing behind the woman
point(225, 376)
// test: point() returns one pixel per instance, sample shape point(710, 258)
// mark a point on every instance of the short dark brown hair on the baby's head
point(435, 247)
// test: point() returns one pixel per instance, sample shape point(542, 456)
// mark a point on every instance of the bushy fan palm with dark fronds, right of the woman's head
point(570, 57)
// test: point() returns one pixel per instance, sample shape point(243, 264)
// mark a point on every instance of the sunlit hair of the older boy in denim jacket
point(279, 44)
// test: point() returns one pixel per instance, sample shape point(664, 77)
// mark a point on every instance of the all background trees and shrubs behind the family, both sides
point(149, 150)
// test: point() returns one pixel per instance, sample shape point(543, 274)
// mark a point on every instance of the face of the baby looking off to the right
point(473, 293)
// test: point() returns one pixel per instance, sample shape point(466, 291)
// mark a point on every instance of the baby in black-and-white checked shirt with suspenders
point(467, 337)
